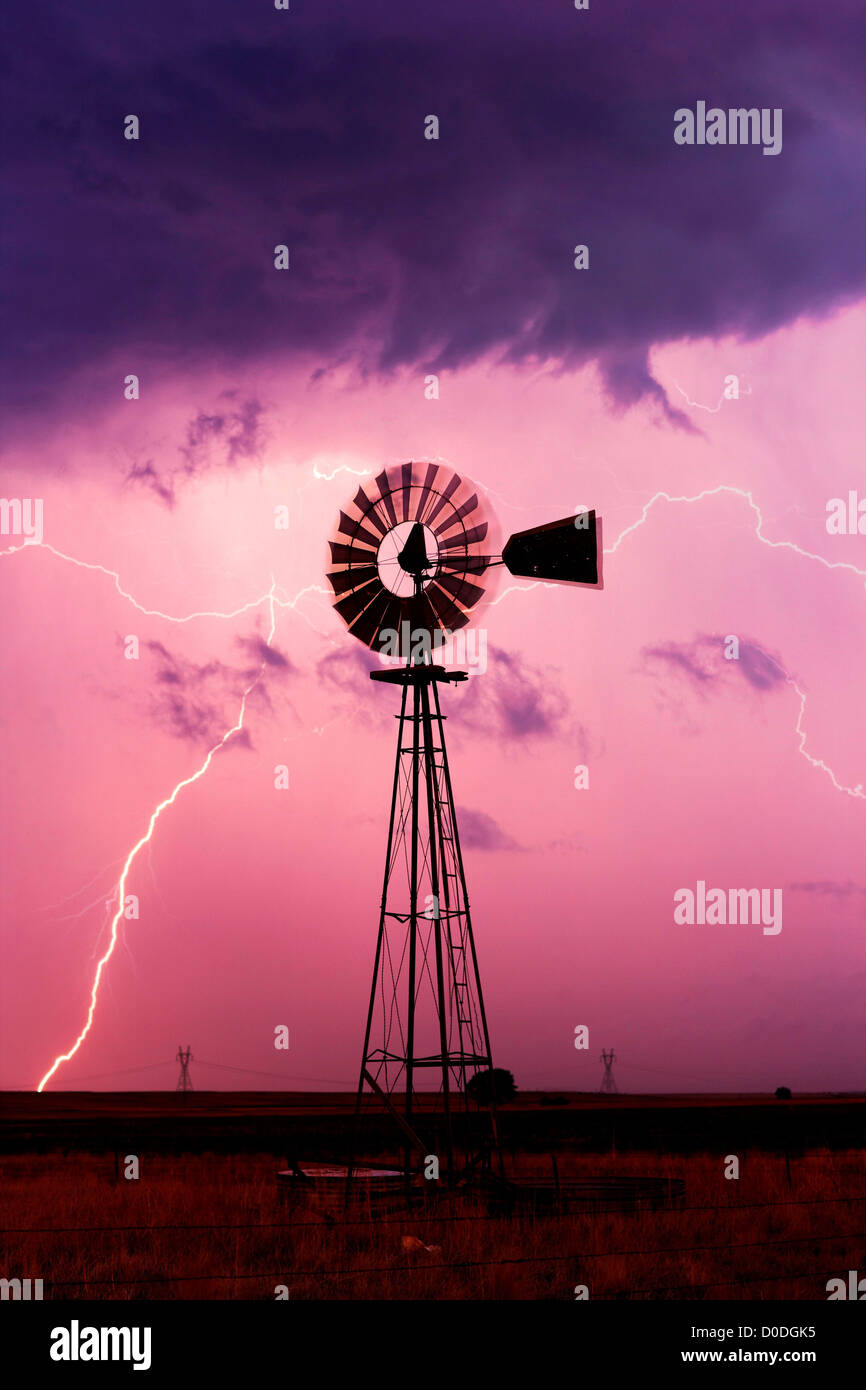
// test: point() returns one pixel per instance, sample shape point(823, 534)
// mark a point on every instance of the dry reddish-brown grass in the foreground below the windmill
point(491, 1259)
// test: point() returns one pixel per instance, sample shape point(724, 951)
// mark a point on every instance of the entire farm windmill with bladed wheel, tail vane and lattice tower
point(409, 564)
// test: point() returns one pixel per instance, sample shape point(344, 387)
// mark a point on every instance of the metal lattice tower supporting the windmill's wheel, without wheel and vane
point(427, 1031)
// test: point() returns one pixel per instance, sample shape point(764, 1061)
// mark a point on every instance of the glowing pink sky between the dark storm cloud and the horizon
point(259, 907)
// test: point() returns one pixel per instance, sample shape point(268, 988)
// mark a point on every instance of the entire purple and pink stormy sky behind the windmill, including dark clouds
point(557, 390)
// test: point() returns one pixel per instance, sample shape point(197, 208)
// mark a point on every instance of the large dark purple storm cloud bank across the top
point(262, 127)
